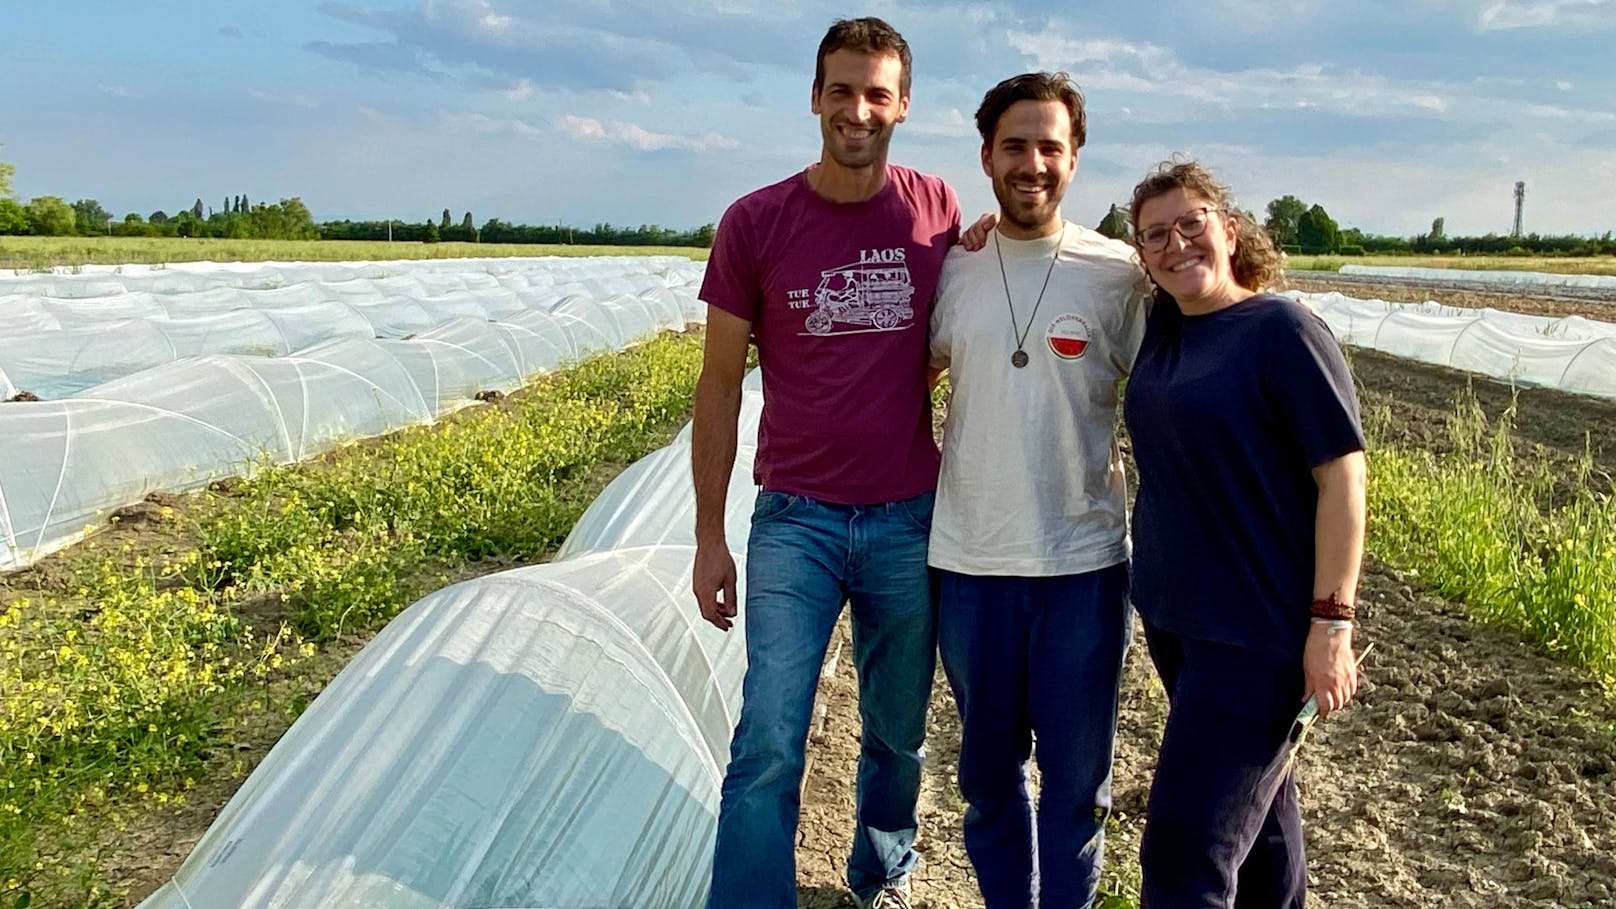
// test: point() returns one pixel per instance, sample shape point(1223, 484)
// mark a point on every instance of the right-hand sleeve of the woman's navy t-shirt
point(1311, 387)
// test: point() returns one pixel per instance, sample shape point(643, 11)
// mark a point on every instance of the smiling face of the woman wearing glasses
point(1197, 271)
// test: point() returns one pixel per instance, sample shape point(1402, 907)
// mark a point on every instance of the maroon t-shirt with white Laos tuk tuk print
point(840, 297)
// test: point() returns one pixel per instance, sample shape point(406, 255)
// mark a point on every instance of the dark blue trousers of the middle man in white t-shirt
point(1035, 659)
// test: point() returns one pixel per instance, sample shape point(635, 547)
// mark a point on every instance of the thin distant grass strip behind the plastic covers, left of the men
point(35, 253)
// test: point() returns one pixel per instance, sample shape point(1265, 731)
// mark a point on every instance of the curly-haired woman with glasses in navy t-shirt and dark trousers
point(1248, 539)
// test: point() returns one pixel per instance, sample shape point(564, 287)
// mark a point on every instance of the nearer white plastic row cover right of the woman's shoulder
point(1572, 355)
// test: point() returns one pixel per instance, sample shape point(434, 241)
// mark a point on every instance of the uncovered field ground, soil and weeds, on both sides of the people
point(1478, 767)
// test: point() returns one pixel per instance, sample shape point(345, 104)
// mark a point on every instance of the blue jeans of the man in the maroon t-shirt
point(804, 560)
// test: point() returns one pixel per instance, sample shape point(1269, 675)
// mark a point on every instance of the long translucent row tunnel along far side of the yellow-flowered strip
point(180, 425)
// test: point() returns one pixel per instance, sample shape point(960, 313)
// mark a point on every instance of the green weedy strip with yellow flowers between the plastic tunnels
point(127, 670)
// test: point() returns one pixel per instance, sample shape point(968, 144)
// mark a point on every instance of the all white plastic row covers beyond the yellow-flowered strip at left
point(174, 391)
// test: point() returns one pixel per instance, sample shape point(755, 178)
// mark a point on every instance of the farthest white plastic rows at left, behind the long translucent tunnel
point(72, 332)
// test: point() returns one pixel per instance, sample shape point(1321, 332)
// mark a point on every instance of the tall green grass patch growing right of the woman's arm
point(1504, 538)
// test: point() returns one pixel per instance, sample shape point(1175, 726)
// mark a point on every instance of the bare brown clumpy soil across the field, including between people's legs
point(1473, 771)
